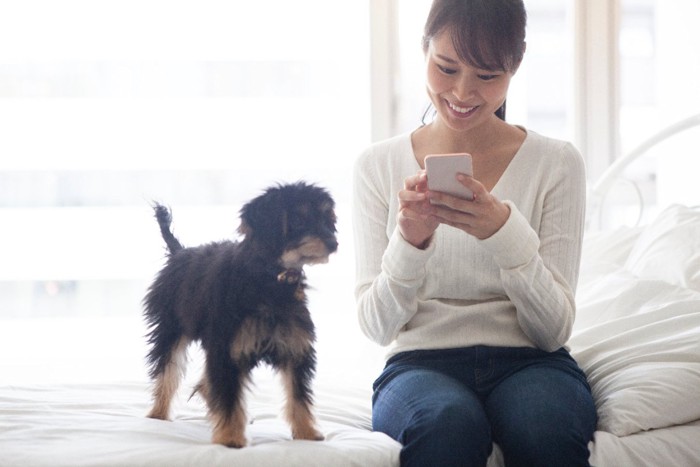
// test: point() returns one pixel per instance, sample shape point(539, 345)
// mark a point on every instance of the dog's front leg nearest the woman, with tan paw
point(297, 383)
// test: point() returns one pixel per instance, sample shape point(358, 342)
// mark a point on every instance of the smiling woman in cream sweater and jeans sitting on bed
point(476, 297)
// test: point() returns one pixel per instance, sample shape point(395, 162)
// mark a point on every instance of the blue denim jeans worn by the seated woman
point(447, 407)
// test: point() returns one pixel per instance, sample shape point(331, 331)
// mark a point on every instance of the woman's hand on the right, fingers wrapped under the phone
point(481, 216)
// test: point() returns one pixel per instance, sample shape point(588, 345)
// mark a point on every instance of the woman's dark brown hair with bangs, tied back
point(487, 34)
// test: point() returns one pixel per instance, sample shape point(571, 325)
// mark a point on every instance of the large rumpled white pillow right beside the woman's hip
point(640, 348)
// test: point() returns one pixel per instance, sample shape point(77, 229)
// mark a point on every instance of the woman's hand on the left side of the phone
point(415, 219)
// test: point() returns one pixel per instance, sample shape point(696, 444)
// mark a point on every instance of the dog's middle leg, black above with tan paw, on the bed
point(224, 385)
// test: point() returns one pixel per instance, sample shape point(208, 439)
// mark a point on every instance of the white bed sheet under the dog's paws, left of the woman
point(105, 425)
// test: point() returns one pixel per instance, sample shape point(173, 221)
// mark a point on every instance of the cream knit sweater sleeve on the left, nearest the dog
point(389, 271)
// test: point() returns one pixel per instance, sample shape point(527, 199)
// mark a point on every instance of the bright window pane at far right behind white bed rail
point(658, 83)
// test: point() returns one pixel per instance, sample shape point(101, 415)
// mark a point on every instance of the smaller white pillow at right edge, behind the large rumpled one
point(668, 249)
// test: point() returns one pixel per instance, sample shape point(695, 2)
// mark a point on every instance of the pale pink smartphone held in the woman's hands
point(442, 170)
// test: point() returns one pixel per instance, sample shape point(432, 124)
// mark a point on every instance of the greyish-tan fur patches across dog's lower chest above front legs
point(255, 337)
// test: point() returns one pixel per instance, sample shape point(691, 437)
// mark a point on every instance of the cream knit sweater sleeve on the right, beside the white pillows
point(539, 269)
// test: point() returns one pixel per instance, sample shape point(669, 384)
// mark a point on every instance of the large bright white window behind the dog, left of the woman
point(108, 106)
